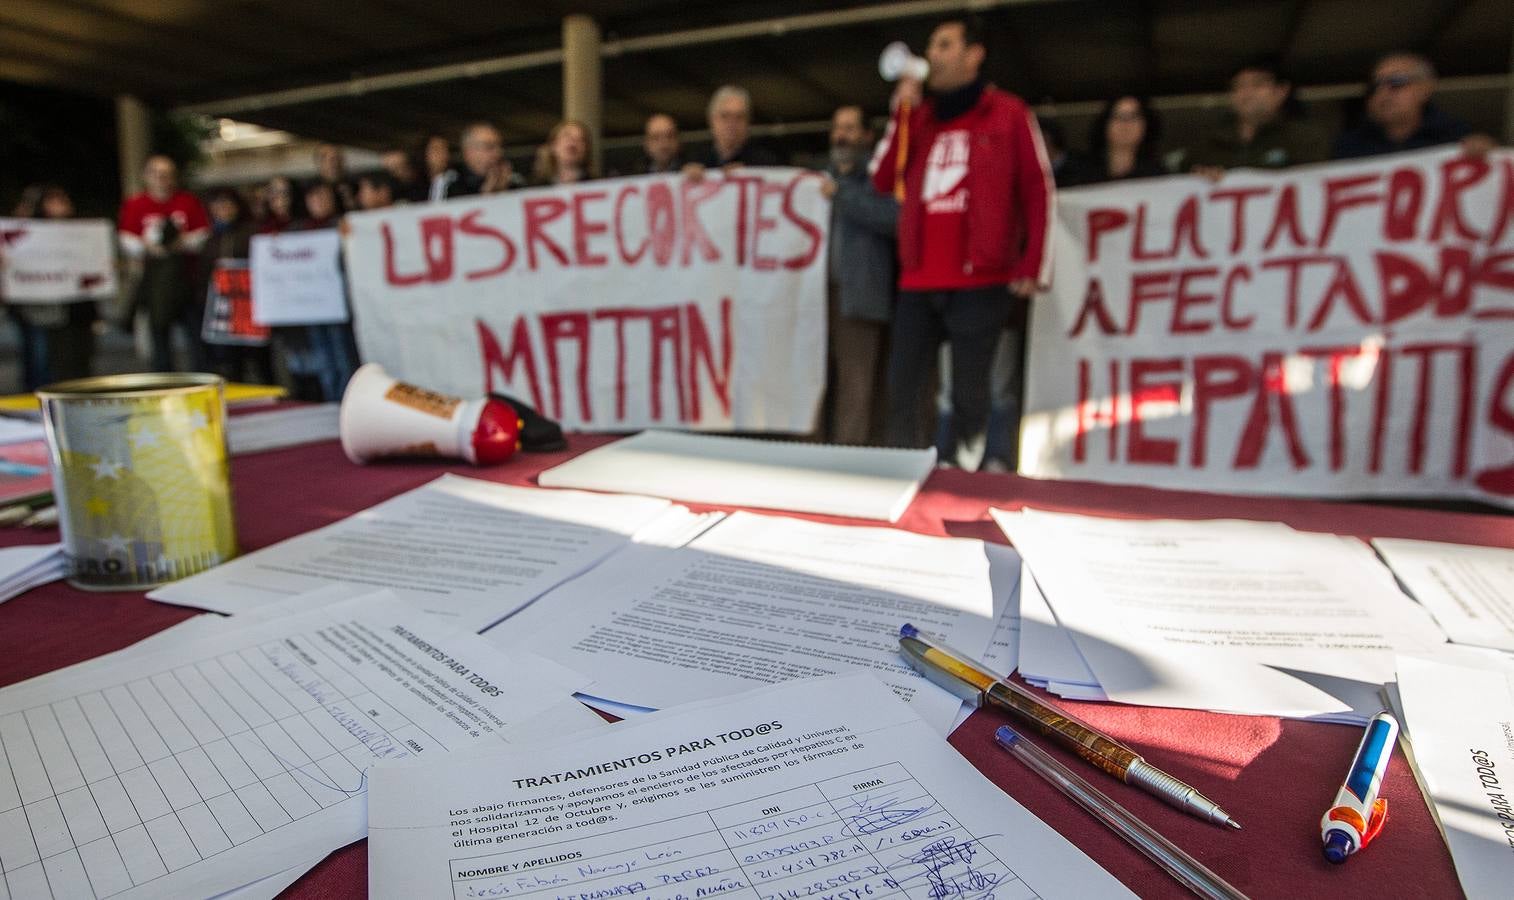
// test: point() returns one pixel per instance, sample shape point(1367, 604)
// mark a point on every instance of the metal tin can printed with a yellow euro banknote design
point(140, 477)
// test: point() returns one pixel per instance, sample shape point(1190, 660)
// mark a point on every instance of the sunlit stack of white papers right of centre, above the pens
point(1229, 616)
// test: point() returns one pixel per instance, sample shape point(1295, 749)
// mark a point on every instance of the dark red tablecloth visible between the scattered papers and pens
point(1276, 777)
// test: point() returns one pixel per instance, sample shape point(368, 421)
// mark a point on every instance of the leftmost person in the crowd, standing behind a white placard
point(57, 339)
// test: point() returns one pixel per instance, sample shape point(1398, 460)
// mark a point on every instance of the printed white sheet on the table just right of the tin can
point(467, 551)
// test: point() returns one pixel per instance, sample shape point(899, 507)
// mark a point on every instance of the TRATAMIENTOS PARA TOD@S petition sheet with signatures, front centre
point(824, 787)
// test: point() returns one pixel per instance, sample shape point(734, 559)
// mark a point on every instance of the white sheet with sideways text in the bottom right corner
point(1460, 722)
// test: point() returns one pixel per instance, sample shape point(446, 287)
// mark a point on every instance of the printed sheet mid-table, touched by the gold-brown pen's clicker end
point(764, 599)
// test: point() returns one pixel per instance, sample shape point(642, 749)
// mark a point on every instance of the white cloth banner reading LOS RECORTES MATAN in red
point(612, 305)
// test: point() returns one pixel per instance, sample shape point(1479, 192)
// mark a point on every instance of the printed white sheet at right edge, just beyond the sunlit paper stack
point(1469, 590)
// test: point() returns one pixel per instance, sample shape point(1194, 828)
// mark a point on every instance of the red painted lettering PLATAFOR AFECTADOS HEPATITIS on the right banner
point(1185, 280)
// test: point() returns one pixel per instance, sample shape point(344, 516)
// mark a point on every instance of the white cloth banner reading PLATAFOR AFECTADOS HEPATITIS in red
point(1342, 330)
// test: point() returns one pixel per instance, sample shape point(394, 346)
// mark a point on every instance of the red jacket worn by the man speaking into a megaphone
point(1009, 201)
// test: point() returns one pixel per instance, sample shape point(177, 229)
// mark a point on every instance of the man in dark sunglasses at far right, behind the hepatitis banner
point(1401, 114)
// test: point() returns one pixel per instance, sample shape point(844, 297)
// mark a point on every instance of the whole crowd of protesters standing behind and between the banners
point(935, 249)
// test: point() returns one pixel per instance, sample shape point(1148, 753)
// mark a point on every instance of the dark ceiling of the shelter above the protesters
point(182, 52)
